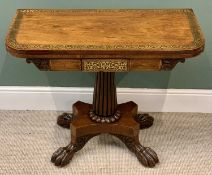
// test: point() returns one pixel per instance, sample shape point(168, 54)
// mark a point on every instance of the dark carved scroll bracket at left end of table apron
point(42, 64)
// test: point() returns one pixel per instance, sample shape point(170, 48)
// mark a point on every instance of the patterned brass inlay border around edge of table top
point(11, 37)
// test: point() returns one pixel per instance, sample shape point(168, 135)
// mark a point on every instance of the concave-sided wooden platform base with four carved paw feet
point(126, 129)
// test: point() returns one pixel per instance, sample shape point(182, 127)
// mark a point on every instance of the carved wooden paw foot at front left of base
point(63, 155)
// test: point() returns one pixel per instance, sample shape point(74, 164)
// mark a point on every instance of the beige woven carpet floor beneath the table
point(183, 142)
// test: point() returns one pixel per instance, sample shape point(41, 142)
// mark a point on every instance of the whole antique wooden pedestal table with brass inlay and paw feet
point(105, 42)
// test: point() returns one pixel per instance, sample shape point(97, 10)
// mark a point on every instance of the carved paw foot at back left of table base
point(64, 120)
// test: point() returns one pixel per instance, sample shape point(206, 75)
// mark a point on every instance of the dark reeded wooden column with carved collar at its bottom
point(105, 99)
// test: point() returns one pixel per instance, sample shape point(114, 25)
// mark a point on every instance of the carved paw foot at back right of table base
point(145, 120)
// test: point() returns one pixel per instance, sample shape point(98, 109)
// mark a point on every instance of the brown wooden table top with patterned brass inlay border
point(109, 34)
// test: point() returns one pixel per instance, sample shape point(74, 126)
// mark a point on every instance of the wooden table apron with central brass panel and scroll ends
point(105, 65)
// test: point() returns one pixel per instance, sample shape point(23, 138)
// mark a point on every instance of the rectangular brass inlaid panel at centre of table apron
point(115, 65)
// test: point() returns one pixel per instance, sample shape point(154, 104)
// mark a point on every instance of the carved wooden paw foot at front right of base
point(146, 155)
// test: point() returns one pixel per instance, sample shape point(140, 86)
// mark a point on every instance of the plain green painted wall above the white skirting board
point(195, 73)
